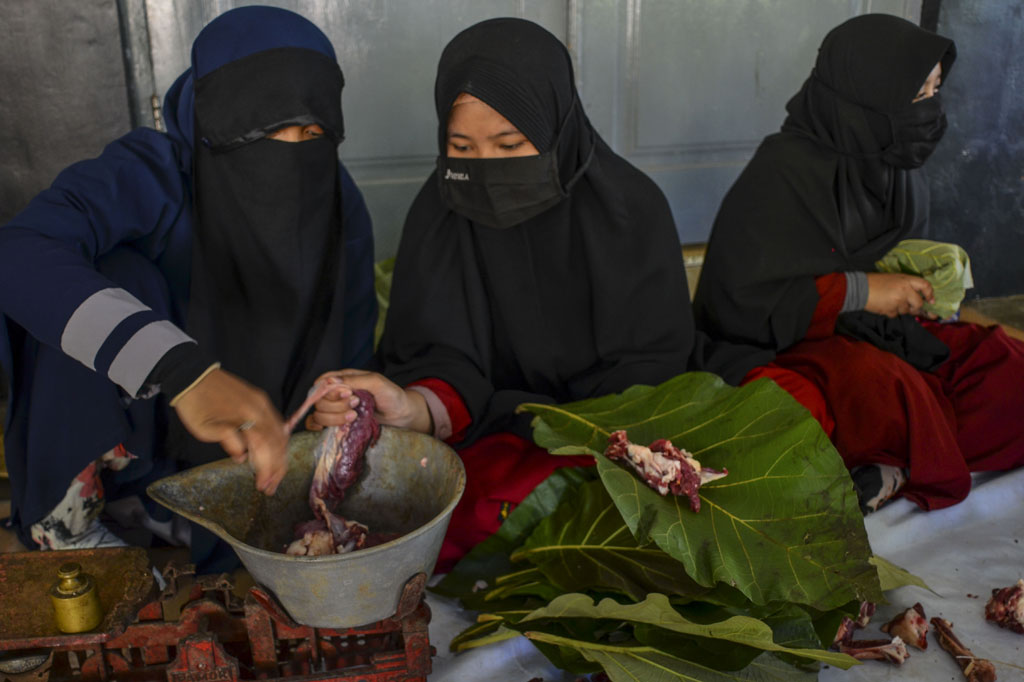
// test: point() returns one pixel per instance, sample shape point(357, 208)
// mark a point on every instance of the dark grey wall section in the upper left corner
point(64, 94)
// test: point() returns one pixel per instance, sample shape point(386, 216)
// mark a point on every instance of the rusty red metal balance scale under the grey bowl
point(196, 629)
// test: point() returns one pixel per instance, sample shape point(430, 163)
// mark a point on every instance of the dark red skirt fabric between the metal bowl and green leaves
point(501, 471)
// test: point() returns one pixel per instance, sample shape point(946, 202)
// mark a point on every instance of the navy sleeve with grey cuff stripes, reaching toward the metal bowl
point(49, 281)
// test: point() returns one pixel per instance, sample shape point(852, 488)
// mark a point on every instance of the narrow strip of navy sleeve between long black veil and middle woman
point(361, 296)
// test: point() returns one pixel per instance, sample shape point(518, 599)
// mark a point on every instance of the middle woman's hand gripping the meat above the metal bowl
point(396, 406)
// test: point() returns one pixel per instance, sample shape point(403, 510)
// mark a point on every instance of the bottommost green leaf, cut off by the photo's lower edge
point(645, 664)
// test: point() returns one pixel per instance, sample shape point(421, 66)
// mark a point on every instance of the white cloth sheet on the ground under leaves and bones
point(962, 553)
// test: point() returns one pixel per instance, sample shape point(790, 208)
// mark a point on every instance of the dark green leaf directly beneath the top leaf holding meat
point(586, 545)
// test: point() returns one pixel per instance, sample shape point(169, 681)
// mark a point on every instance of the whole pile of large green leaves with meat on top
point(603, 573)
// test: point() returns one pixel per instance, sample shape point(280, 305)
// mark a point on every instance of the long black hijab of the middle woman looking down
point(587, 299)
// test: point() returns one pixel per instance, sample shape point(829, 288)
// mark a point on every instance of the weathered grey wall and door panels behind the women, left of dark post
point(684, 89)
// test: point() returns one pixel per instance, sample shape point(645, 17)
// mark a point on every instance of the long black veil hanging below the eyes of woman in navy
point(270, 229)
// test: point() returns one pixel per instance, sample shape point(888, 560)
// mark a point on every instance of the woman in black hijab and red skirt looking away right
point(790, 269)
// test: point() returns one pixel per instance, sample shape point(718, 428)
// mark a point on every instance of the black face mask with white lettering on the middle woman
point(501, 193)
